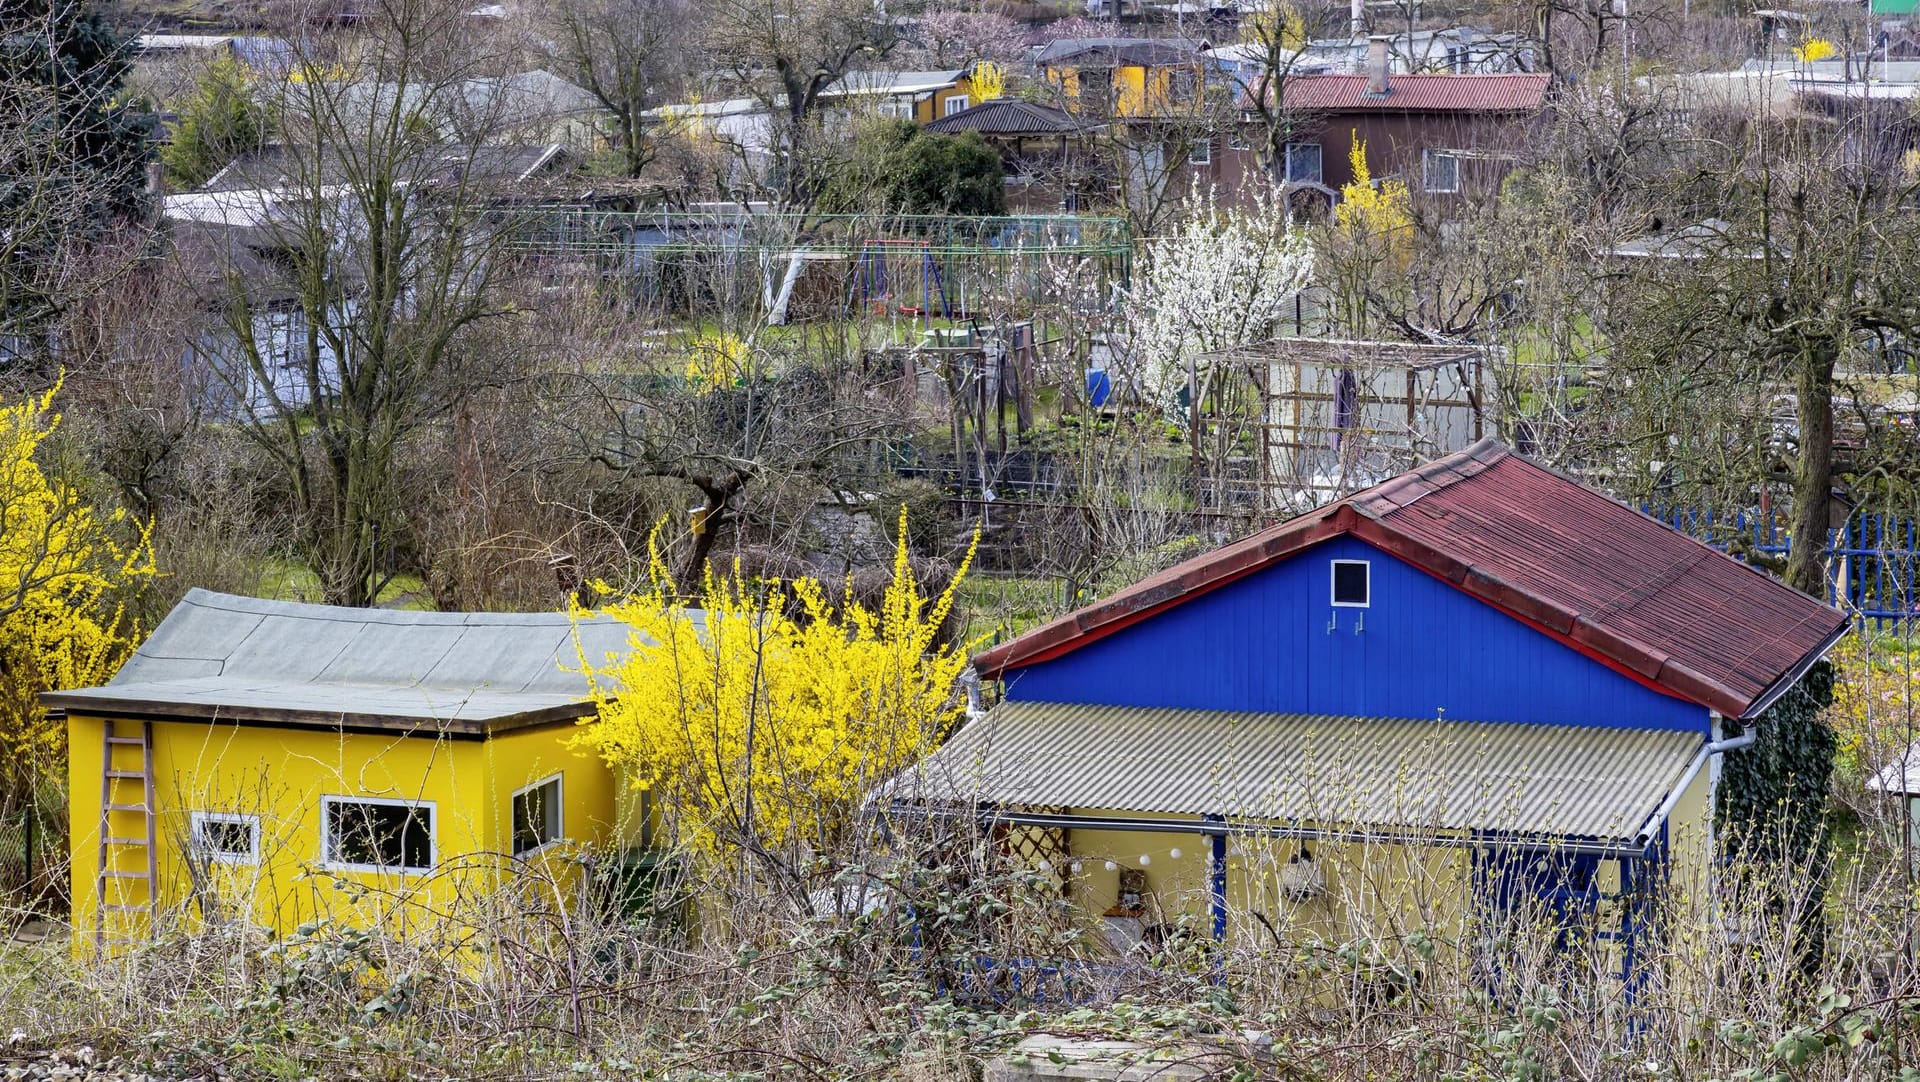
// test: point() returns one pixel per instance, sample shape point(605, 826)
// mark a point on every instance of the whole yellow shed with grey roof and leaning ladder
point(274, 761)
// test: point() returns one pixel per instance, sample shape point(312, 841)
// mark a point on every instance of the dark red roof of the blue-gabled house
point(1572, 563)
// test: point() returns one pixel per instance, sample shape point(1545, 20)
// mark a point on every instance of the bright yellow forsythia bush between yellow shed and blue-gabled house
point(767, 713)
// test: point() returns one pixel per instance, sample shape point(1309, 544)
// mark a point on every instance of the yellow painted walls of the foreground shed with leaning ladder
point(281, 778)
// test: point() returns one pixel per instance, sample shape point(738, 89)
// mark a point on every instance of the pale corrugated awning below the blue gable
point(1554, 782)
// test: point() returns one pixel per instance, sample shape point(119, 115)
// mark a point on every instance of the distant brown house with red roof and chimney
point(1449, 137)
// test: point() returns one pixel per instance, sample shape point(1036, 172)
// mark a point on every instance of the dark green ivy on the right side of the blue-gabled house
point(1771, 807)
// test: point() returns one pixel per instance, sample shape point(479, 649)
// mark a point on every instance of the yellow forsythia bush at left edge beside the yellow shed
point(64, 569)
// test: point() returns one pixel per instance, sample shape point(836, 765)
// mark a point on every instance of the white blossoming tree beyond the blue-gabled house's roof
point(1222, 279)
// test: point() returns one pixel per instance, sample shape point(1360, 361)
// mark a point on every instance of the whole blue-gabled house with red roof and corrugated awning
point(1472, 688)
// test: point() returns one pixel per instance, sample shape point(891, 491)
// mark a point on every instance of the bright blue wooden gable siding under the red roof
point(1274, 642)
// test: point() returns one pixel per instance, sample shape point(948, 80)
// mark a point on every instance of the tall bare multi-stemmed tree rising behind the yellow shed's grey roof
point(347, 308)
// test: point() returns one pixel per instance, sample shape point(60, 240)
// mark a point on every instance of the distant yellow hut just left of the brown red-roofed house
point(1134, 80)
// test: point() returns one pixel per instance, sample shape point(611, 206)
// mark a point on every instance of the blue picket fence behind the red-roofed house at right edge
point(1873, 559)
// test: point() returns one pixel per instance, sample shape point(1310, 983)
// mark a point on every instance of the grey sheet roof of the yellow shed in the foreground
point(283, 663)
